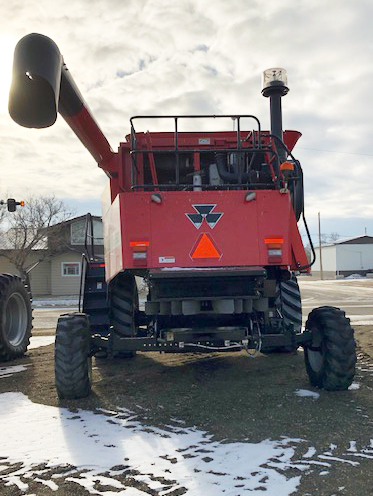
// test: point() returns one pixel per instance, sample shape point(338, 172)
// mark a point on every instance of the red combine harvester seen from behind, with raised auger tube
point(208, 219)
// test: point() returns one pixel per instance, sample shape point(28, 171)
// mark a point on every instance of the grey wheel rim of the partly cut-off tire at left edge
point(15, 319)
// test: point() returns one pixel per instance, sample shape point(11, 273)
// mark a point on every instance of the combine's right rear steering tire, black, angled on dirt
point(331, 357)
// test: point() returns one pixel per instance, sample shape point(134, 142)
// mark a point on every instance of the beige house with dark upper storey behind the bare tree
point(57, 264)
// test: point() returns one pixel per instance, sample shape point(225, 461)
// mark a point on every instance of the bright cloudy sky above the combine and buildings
point(133, 57)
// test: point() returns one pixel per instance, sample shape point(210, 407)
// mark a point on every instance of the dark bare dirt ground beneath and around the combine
point(231, 396)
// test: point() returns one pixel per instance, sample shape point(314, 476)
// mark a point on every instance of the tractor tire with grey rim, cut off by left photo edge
point(15, 317)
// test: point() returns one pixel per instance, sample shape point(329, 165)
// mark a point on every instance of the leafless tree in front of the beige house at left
point(35, 229)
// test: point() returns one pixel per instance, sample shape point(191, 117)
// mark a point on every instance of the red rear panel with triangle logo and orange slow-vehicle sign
point(203, 228)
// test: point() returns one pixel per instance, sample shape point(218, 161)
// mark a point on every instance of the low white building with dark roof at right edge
point(344, 257)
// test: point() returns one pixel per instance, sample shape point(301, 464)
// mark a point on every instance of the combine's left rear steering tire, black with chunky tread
point(72, 360)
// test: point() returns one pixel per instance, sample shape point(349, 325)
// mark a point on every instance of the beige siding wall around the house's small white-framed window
point(64, 285)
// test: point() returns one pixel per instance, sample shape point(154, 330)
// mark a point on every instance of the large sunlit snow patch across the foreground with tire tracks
point(162, 460)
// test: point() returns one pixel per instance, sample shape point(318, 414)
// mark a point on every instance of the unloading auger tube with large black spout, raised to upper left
point(42, 86)
